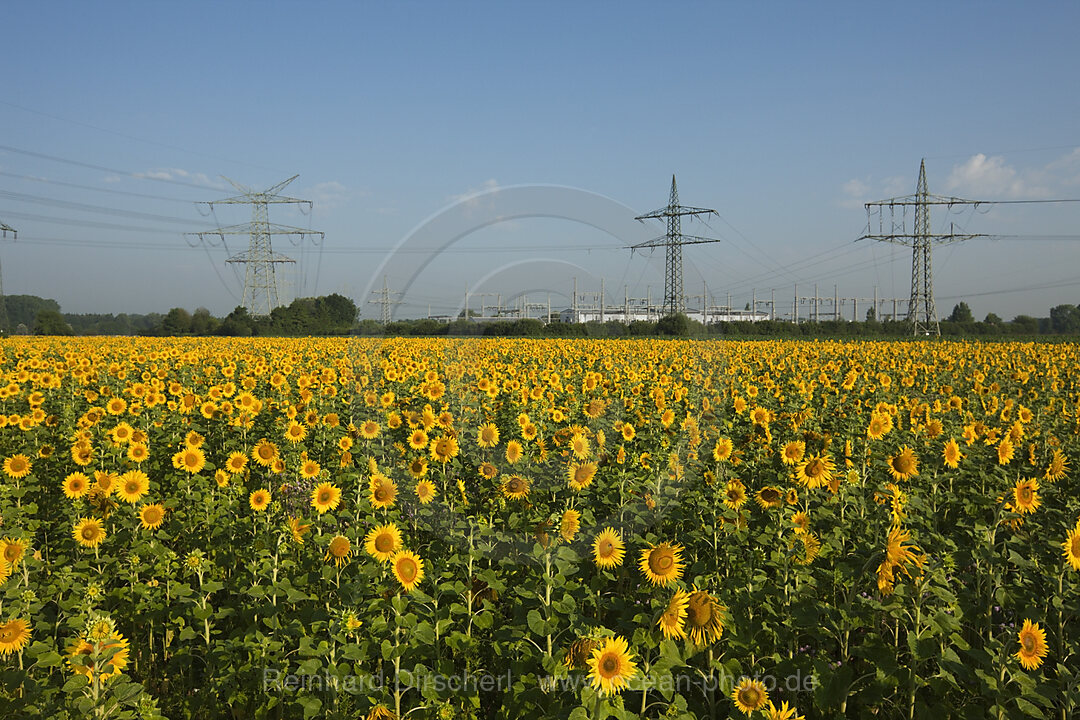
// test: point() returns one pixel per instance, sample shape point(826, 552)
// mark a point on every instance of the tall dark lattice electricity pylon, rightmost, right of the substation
point(922, 313)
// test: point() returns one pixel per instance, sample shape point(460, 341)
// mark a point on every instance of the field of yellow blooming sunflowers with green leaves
point(384, 528)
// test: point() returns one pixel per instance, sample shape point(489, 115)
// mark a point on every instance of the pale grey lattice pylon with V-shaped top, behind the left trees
point(261, 282)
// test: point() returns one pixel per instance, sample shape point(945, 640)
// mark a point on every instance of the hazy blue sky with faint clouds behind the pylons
point(785, 117)
